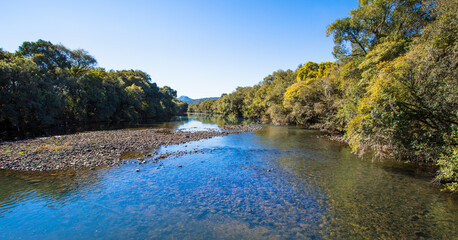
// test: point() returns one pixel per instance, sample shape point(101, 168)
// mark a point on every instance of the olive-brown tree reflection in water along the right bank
point(366, 198)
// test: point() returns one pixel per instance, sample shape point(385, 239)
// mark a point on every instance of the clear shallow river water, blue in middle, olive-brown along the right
point(280, 182)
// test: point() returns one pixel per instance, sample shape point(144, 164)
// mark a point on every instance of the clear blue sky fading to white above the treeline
point(199, 48)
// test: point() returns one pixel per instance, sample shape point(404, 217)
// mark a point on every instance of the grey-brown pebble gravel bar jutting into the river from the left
point(97, 148)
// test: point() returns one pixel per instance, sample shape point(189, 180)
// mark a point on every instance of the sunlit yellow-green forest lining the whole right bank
point(392, 91)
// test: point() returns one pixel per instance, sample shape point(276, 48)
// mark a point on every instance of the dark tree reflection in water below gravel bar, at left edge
point(60, 186)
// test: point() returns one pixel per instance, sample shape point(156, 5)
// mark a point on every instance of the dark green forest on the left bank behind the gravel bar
point(46, 85)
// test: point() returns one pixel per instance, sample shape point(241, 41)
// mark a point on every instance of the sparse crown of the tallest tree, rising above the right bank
point(376, 21)
